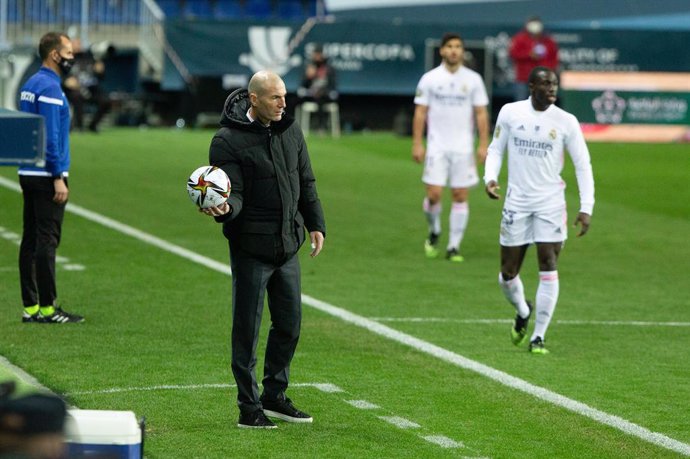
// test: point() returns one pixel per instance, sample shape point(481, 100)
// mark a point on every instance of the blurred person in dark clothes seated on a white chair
point(318, 84)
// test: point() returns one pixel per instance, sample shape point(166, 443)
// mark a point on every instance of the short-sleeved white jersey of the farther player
point(451, 98)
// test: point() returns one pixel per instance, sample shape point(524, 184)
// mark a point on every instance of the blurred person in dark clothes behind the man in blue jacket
point(83, 87)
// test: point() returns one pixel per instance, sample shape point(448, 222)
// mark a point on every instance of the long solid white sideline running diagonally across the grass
point(422, 346)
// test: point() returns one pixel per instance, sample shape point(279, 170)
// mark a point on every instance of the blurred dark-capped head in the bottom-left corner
point(31, 426)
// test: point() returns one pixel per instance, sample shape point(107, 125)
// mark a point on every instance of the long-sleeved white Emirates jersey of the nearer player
point(536, 142)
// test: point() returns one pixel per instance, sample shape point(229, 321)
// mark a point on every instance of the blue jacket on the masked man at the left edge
point(42, 95)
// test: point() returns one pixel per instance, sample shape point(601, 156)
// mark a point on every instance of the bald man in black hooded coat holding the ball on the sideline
point(273, 200)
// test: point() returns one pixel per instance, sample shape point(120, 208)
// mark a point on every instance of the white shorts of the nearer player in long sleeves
point(520, 228)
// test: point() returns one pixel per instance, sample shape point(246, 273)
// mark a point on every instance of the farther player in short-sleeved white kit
point(448, 100)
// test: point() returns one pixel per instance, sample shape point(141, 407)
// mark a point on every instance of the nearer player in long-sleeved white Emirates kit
point(535, 132)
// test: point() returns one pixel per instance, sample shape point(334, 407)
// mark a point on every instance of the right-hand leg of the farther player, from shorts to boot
point(462, 176)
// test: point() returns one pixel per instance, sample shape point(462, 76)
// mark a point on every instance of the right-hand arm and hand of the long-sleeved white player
point(579, 154)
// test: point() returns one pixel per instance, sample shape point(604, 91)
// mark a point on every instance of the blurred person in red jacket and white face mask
point(530, 48)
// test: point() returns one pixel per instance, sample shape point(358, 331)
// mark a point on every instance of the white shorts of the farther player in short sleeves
point(457, 170)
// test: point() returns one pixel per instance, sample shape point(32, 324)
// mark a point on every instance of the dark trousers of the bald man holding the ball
point(251, 280)
